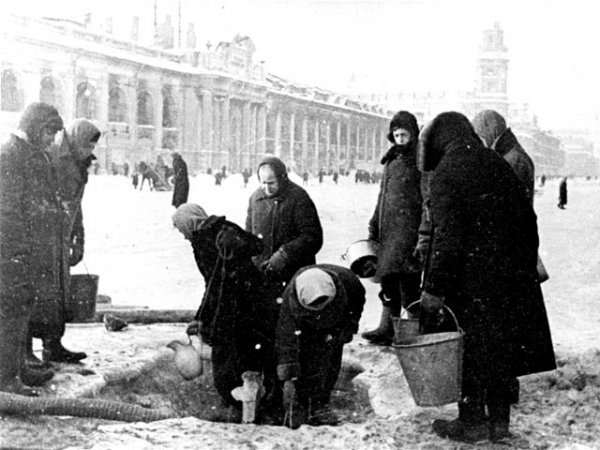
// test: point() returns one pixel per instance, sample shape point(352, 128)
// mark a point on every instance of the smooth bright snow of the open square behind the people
point(143, 261)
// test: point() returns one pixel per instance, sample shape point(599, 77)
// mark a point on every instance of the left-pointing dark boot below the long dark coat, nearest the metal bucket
point(471, 426)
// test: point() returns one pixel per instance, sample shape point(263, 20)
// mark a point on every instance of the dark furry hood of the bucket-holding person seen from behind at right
point(443, 132)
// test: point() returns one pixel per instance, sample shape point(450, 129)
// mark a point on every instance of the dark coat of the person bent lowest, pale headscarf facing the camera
point(314, 354)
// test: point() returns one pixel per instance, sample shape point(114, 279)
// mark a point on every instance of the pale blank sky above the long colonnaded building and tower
point(408, 45)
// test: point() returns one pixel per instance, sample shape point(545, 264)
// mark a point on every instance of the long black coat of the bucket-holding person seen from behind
point(482, 260)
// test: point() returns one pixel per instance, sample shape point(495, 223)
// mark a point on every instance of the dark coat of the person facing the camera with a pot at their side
point(395, 222)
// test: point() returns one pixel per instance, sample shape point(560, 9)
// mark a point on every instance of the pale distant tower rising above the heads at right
point(492, 71)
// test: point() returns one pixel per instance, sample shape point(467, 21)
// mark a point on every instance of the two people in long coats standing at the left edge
point(43, 173)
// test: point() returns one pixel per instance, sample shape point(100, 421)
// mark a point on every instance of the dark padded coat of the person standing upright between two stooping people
point(288, 221)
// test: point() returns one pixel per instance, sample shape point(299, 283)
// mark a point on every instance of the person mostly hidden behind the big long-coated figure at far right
point(491, 128)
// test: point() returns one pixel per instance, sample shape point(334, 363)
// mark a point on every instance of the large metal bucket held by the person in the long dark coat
point(432, 365)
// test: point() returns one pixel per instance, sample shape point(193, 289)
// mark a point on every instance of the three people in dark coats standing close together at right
point(456, 228)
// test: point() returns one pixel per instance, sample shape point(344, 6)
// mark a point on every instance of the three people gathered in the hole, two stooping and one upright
point(268, 306)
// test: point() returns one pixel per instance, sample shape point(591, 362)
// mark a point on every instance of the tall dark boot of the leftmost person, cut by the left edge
point(12, 357)
